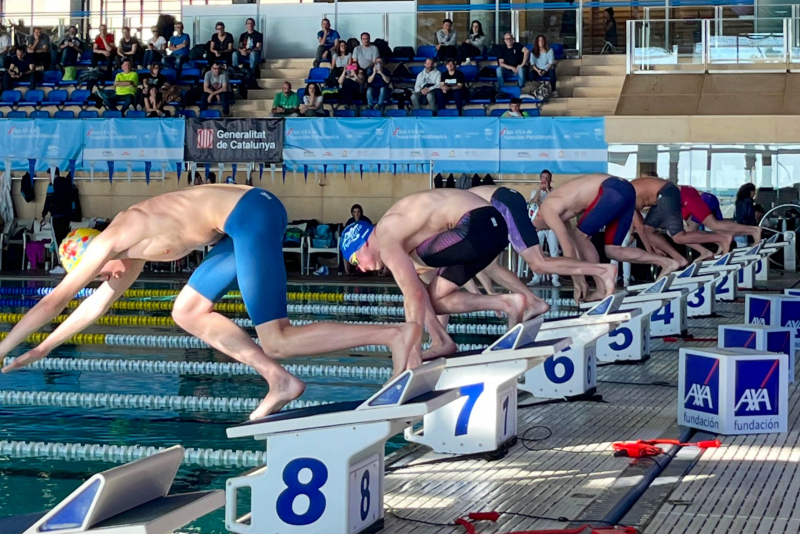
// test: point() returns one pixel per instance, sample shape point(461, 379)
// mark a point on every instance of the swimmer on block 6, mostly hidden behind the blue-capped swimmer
point(523, 237)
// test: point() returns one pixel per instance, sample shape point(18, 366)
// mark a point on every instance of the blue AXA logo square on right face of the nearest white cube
point(757, 387)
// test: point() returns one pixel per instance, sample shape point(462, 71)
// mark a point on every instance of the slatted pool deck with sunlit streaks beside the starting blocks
point(748, 485)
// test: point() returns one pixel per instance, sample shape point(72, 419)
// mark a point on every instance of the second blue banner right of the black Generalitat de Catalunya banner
point(464, 144)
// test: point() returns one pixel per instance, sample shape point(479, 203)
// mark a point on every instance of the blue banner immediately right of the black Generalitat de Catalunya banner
point(335, 142)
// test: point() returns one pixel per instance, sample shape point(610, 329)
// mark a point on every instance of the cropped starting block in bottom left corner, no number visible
point(131, 498)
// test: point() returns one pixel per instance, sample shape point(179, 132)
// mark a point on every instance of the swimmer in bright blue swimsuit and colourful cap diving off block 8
point(246, 225)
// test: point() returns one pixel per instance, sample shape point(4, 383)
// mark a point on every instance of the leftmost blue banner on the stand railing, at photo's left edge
point(50, 142)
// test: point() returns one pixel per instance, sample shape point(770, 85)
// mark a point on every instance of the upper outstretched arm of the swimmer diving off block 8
point(95, 257)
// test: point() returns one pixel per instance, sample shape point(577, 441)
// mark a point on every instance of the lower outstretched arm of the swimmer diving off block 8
point(84, 315)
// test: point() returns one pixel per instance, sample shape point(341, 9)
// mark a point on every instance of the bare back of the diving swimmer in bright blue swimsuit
point(170, 226)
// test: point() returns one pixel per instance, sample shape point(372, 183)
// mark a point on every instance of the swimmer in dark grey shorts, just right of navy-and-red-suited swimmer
point(665, 215)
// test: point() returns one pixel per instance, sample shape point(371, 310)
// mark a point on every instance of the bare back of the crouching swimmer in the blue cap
point(422, 215)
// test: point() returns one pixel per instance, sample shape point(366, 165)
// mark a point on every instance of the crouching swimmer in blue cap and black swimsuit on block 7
point(444, 237)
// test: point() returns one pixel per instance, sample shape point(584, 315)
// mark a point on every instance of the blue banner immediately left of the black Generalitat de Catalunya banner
point(133, 141)
